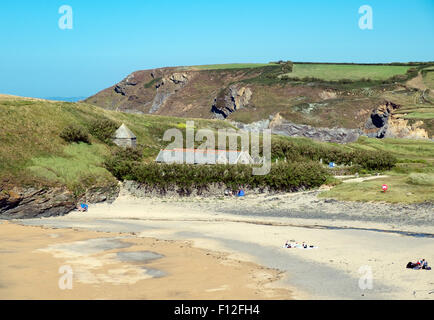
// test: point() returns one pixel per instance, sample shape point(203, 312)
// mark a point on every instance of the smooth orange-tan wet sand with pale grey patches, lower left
point(121, 266)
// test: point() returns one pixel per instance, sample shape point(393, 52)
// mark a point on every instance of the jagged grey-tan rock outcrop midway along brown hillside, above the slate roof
point(230, 100)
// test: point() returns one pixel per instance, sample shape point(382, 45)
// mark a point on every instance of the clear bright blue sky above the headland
point(111, 39)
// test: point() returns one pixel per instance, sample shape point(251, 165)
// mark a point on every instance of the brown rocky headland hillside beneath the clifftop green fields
point(248, 96)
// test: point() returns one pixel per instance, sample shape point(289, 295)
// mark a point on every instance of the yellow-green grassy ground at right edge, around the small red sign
point(412, 180)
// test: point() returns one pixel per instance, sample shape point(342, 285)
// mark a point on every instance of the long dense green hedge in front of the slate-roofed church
point(282, 177)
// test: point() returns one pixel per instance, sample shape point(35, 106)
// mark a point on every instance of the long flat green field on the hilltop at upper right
point(336, 72)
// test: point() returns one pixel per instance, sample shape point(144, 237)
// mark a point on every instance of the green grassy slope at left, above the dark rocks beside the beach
point(31, 151)
